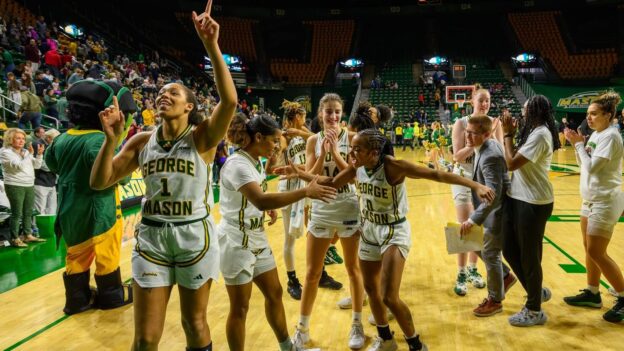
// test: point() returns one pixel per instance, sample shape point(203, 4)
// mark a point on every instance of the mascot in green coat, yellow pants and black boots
point(90, 221)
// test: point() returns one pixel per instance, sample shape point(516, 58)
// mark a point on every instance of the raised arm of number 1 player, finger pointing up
point(211, 131)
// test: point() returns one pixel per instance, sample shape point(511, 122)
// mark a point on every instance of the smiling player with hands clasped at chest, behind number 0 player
point(326, 154)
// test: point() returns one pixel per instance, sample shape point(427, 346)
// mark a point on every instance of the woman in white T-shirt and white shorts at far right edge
point(603, 202)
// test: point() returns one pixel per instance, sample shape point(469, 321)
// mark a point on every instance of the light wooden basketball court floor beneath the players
point(32, 293)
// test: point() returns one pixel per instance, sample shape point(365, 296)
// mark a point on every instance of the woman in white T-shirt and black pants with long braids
point(530, 196)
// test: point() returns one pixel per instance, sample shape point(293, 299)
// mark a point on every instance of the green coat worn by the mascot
point(83, 213)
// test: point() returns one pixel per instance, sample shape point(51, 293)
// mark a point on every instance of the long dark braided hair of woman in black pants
point(539, 111)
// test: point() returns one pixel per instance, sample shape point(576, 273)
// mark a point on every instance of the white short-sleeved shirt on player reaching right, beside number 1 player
point(240, 219)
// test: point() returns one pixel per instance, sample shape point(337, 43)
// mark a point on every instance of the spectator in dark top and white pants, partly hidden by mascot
point(45, 181)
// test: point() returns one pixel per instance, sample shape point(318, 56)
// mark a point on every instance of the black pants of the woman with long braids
point(523, 230)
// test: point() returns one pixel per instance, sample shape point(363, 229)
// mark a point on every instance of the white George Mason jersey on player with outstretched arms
point(380, 202)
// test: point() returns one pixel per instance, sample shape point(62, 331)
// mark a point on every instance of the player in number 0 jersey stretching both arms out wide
point(386, 237)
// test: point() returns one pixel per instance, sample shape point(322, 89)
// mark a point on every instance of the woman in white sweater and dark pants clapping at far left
point(18, 165)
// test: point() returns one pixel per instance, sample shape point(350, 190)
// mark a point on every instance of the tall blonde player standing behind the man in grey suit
point(463, 157)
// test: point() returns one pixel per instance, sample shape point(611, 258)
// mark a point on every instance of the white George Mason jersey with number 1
point(176, 181)
